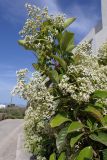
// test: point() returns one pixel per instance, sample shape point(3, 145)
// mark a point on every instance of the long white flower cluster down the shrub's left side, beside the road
point(41, 107)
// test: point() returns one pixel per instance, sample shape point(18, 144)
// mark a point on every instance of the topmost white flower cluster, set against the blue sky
point(40, 29)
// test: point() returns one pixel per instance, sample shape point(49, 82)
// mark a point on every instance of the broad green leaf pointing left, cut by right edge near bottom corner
point(100, 137)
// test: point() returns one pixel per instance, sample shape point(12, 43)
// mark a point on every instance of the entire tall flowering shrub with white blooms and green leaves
point(67, 114)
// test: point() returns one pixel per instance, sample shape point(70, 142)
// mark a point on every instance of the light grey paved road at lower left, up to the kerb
point(9, 131)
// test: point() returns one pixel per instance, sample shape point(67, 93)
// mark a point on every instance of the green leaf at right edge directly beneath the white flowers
point(99, 94)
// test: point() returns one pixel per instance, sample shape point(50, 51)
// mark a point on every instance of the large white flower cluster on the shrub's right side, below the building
point(84, 76)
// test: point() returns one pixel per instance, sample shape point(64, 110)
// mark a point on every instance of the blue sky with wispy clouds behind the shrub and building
point(12, 17)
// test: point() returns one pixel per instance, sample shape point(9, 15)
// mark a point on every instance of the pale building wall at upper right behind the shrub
point(98, 35)
